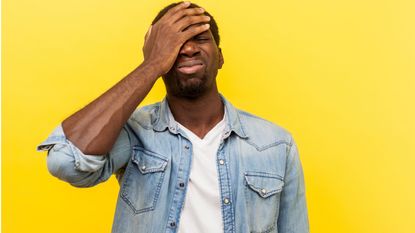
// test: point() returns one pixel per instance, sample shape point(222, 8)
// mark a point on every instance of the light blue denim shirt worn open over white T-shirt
point(259, 171)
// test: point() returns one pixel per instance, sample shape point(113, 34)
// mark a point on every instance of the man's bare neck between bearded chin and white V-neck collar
point(200, 114)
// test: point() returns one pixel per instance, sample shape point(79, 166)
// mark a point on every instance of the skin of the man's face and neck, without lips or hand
point(198, 111)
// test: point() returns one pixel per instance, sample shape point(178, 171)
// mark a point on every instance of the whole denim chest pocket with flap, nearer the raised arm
point(143, 180)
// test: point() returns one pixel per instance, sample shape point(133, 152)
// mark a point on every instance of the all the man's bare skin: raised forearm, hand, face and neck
point(181, 36)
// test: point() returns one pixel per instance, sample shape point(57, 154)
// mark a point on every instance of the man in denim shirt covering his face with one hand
point(191, 163)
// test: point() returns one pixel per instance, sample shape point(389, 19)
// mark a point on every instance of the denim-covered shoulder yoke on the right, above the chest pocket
point(263, 132)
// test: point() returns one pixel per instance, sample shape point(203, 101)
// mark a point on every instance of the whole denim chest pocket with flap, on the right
point(262, 200)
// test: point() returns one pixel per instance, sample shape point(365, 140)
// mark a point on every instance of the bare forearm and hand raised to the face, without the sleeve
point(95, 128)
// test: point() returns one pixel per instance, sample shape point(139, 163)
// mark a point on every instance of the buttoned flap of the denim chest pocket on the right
point(264, 184)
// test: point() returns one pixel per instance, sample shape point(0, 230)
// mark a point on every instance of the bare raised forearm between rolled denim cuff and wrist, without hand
point(94, 128)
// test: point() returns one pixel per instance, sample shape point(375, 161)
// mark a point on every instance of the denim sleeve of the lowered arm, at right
point(293, 217)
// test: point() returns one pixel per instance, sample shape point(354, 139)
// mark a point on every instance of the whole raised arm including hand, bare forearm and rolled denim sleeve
point(94, 142)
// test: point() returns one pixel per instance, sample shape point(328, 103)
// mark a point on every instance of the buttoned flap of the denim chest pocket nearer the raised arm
point(147, 161)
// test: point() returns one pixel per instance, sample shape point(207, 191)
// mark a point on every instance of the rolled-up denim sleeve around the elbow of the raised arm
point(66, 162)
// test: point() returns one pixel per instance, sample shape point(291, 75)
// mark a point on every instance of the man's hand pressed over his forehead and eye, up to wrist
point(165, 38)
